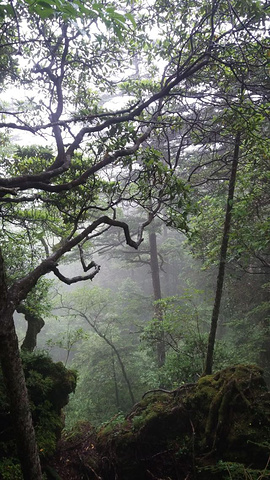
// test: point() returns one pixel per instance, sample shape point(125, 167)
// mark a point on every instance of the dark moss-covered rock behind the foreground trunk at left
point(49, 385)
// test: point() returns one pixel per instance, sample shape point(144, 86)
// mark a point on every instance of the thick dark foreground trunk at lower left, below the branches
point(16, 388)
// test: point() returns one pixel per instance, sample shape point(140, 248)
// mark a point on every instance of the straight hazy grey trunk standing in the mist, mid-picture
point(157, 295)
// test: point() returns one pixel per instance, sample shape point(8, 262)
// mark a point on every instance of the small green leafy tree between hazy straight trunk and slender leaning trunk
point(185, 326)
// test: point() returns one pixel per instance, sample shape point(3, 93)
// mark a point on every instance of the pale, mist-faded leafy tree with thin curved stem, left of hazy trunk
point(108, 360)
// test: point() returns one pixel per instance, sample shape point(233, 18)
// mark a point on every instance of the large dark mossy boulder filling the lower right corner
point(205, 430)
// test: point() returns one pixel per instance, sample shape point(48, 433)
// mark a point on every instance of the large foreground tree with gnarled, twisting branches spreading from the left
point(64, 65)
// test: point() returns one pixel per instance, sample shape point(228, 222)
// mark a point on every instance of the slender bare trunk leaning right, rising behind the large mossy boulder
point(222, 261)
